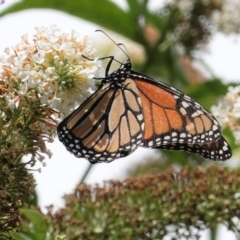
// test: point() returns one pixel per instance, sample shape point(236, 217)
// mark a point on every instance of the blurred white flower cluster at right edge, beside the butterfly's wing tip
point(228, 111)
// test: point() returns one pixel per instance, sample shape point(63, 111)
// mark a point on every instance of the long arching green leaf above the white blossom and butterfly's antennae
point(104, 13)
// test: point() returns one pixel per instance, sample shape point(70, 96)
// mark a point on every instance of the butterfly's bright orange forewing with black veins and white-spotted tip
point(172, 117)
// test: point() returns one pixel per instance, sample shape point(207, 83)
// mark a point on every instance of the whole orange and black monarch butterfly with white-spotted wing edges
point(130, 109)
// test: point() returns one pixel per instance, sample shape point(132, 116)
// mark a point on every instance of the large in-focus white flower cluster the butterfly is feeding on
point(59, 67)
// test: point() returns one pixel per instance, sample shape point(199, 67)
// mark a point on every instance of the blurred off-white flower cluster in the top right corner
point(227, 19)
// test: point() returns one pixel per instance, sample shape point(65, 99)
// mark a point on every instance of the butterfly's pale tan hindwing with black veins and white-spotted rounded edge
point(108, 125)
